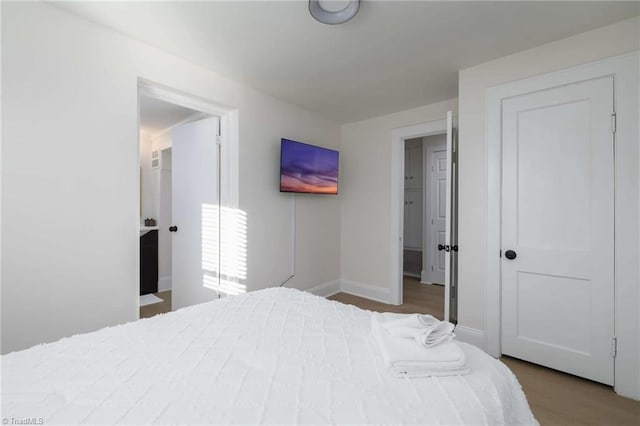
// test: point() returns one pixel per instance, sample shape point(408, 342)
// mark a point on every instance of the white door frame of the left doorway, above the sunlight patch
point(229, 146)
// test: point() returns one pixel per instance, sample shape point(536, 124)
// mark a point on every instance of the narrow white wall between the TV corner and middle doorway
point(364, 211)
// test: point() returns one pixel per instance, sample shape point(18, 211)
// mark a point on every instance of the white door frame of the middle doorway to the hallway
point(398, 136)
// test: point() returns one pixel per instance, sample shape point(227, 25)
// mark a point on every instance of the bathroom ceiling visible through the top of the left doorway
point(157, 115)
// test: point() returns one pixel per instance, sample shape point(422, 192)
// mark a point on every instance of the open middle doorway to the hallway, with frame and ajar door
point(424, 195)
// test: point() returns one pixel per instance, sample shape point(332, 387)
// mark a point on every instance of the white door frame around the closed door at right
point(624, 69)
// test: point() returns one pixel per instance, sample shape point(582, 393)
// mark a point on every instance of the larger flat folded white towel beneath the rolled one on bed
point(406, 358)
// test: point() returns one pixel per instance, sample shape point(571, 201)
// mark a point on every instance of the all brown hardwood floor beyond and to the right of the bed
point(555, 398)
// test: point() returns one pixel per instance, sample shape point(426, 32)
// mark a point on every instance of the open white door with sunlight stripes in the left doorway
point(195, 212)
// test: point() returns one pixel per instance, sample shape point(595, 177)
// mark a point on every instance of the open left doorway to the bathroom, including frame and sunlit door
point(197, 235)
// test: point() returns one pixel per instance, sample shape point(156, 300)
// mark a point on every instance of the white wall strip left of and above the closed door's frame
point(583, 48)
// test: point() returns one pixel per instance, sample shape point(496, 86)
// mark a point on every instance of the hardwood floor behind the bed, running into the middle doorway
point(418, 298)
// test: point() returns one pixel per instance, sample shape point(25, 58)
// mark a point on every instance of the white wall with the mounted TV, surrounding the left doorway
point(70, 175)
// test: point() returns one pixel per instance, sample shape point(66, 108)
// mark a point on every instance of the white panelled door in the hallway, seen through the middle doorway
point(437, 212)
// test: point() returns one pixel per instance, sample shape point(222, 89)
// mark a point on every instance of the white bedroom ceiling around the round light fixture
point(392, 56)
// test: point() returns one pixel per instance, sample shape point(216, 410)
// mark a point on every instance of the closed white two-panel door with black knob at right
point(557, 220)
